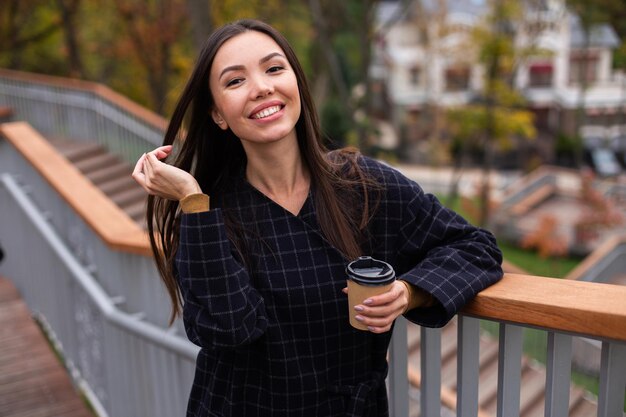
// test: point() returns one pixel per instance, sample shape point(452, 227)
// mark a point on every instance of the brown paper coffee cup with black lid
point(367, 277)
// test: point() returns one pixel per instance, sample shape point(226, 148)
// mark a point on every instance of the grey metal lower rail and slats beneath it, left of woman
point(132, 367)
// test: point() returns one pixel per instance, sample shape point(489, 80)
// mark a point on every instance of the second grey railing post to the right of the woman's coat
point(430, 364)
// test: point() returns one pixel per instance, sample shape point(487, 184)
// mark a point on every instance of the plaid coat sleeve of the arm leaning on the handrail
point(438, 251)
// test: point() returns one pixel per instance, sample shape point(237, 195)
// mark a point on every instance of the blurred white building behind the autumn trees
point(424, 56)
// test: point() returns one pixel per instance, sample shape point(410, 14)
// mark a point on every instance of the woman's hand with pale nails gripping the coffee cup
point(379, 312)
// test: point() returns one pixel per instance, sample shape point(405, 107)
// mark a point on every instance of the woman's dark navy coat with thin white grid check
point(275, 336)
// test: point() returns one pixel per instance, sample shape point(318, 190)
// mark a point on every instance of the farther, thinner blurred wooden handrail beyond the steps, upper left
point(100, 90)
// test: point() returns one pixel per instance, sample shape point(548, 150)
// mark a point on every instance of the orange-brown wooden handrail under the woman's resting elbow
point(585, 308)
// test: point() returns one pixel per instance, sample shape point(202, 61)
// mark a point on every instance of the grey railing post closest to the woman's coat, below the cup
point(398, 380)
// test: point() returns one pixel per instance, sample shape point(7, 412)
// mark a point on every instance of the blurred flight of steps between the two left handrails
point(106, 171)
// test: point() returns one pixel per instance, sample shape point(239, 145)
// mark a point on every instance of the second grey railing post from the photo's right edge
point(558, 373)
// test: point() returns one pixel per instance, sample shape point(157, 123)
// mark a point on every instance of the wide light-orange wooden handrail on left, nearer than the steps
point(106, 219)
